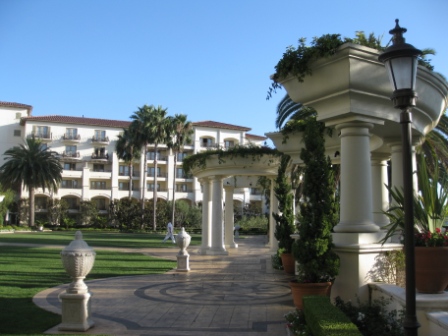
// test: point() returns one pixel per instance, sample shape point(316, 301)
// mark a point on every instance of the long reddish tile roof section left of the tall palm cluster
point(57, 119)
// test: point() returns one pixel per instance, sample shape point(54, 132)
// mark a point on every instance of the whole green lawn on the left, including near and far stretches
point(25, 271)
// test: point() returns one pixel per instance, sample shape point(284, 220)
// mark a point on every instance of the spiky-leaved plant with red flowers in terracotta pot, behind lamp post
point(430, 214)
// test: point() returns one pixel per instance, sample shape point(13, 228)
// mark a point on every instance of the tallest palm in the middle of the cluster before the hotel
point(149, 126)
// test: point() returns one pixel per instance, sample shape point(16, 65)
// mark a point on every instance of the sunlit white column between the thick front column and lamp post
point(380, 193)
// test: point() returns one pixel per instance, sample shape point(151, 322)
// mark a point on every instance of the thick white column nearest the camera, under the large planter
point(356, 213)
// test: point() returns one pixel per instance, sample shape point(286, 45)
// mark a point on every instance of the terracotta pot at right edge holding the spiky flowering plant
point(431, 269)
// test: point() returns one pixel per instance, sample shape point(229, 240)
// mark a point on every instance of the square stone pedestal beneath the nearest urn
point(76, 310)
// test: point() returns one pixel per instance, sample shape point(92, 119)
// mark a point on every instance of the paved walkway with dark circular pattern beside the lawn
point(238, 294)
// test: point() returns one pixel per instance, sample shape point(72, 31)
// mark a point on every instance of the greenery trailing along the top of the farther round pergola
point(199, 160)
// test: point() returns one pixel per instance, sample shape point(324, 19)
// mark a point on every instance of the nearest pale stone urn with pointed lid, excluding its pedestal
point(78, 259)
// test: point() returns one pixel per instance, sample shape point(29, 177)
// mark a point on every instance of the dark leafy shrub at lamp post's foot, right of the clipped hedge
point(373, 319)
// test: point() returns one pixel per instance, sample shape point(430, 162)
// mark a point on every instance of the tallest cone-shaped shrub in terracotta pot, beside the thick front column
point(318, 264)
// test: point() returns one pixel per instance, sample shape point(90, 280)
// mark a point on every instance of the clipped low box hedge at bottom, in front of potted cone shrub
point(324, 319)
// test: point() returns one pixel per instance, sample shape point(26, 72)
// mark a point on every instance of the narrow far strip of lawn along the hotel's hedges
point(95, 239)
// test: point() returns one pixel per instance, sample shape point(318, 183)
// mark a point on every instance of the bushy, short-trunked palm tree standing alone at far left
point(33, 166)
